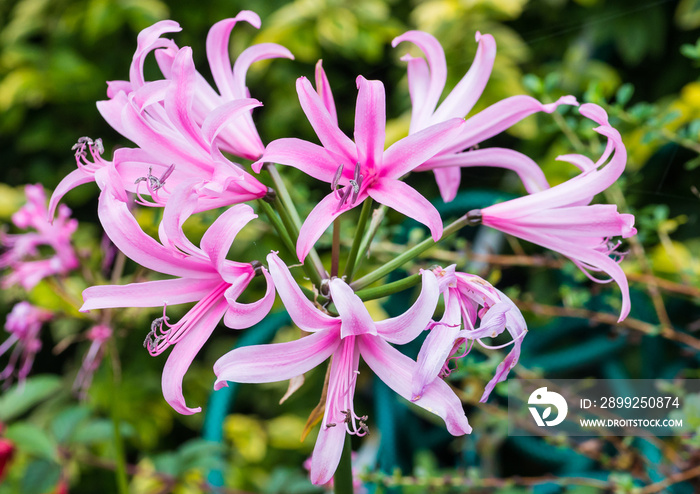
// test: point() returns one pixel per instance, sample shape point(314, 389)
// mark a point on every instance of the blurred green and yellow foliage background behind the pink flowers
point(639, 59)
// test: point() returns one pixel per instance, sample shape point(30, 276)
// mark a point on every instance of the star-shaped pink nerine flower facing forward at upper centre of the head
point(361, 168)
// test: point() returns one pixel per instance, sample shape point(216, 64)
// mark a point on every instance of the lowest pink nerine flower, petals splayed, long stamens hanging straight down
point(351, 335)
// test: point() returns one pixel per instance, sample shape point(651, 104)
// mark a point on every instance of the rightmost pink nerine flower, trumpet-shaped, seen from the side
point(562, 218)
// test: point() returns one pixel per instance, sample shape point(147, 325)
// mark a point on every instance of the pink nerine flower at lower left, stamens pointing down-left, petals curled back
point(204, 275)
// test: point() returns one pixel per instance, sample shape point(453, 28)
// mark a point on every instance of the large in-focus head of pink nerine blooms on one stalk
point(185, 132)
